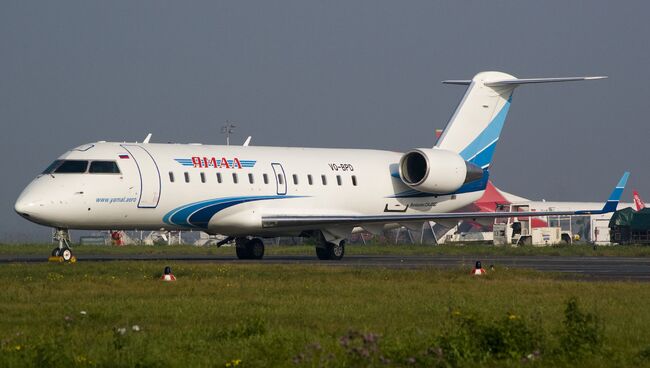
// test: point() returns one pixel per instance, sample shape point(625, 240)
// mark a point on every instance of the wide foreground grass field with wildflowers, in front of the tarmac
point(252, 315)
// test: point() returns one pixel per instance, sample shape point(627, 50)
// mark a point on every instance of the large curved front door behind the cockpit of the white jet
point(149, 176)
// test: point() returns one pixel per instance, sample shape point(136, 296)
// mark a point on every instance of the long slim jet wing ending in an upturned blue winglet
point(279, 221)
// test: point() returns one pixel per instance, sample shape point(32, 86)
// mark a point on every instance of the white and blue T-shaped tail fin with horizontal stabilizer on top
point(474, 128)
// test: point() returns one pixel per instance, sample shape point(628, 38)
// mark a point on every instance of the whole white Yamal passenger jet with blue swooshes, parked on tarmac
point(251, 192)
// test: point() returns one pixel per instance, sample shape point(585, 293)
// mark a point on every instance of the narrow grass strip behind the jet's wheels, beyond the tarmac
point(373, 249)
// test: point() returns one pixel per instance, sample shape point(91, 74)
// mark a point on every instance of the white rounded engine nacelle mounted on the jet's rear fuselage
point(436, 171)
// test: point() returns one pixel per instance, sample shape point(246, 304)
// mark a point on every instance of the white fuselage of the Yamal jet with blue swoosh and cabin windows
point(222, 189)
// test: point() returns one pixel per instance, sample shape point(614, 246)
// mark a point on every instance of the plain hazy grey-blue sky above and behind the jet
point(326, 74)
